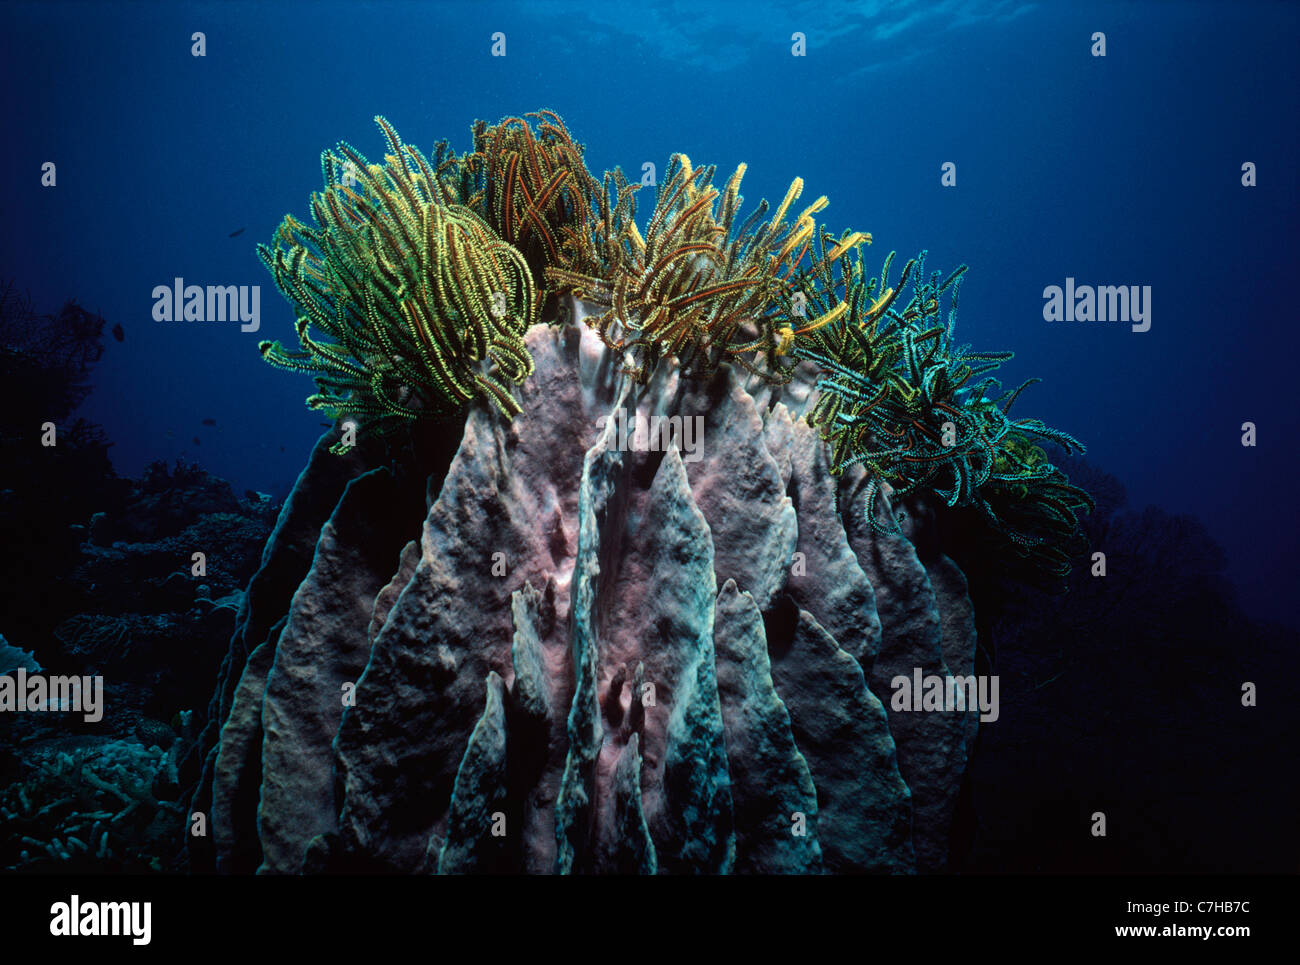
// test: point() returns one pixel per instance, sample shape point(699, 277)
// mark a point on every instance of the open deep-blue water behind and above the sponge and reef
point(1116, 171)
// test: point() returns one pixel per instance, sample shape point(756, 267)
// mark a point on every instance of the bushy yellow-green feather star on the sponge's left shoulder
point(428, 308)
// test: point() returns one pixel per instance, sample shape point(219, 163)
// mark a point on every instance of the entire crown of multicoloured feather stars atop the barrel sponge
point(417, 278)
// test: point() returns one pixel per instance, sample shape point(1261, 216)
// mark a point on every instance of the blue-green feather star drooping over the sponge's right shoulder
point(900, 397)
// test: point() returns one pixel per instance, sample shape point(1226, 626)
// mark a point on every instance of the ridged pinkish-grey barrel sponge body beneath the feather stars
point(655, 681)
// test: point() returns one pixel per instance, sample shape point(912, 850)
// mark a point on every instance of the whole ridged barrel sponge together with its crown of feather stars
point(610, 652)
